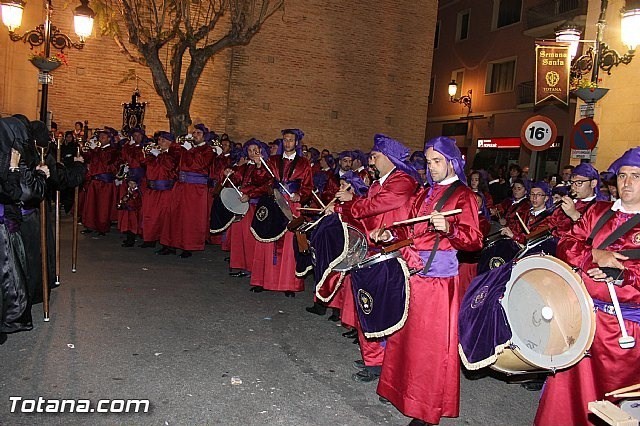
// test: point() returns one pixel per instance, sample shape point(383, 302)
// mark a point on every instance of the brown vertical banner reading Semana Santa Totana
point(553, 66)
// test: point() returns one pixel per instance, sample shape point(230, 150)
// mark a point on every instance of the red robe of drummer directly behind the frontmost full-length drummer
point(383, 205)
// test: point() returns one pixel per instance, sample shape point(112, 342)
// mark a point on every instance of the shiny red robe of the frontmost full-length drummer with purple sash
point(421, 370)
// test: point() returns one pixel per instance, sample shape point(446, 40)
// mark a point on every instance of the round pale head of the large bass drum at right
point(550, 313)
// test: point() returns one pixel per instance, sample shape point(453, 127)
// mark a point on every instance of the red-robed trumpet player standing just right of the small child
point(161, 174)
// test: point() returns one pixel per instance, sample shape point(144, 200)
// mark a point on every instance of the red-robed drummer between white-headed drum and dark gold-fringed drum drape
point(253, 181)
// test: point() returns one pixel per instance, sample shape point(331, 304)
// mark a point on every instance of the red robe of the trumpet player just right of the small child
point(155, 203)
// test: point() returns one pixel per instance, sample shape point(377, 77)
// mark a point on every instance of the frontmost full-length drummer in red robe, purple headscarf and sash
point(421, 370)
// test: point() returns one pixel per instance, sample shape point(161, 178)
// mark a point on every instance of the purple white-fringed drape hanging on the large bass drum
point(483, 328)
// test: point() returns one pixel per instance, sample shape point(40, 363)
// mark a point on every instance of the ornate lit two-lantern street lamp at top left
point(47, 35)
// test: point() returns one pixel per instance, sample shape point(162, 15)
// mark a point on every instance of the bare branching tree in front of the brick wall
point(199, 28)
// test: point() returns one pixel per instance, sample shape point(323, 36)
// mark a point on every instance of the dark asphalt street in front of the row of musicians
point(203, 349)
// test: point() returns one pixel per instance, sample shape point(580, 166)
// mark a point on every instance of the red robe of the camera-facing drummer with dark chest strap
point(274, 263)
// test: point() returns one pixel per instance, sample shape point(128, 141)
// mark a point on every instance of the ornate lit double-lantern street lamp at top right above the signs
point(600, 53)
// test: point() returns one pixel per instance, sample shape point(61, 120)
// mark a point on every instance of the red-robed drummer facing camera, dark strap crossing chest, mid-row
point(274, 264)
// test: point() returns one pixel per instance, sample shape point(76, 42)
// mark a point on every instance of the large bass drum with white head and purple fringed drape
point(537, 317)
